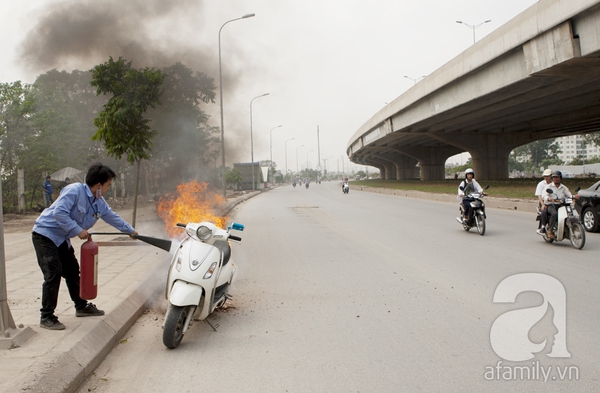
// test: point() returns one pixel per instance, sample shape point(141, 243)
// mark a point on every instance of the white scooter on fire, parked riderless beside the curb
point(199, 276)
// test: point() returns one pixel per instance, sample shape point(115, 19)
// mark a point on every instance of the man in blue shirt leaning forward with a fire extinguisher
point(76, 210)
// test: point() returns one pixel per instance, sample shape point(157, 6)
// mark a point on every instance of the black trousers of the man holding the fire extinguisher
point(56, 262)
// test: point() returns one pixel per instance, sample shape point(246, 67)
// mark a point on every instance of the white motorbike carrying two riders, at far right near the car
point(568, 225)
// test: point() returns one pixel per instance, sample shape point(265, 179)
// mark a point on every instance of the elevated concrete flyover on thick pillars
point(536, 77)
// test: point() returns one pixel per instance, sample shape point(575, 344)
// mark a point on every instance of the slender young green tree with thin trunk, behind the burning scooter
point(121, 124)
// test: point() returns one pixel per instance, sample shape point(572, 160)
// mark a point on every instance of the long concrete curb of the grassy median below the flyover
point(529, 206)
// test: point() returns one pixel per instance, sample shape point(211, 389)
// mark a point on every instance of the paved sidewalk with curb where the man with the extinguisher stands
point(129, 276)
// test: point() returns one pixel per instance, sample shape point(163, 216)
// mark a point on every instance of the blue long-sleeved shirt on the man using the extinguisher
point(74, 210)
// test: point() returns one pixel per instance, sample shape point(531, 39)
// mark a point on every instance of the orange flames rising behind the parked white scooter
point(193, 202)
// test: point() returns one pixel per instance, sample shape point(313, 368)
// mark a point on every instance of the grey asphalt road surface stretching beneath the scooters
point(371, 293)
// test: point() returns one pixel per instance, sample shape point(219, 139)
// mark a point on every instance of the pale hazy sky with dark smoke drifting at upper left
point(330, 64)
